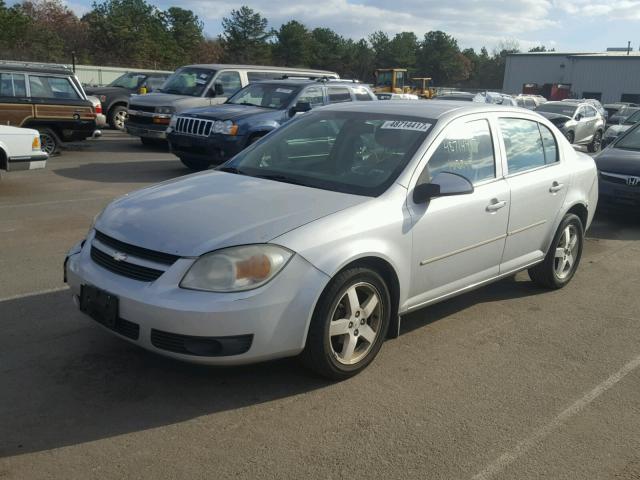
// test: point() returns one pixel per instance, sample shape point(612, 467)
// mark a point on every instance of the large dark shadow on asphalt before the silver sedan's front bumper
point(65, 381)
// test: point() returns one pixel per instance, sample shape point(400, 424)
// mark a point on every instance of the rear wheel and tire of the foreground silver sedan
point(553, 272)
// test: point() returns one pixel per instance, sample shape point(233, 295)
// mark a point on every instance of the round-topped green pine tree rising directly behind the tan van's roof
point(245, 37)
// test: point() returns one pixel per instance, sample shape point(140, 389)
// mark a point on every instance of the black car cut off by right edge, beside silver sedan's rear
point(619, 172)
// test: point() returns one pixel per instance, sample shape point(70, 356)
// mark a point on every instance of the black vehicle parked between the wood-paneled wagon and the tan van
point(115, 96)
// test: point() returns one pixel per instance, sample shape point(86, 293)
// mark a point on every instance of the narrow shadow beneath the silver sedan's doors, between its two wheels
point(517, 286)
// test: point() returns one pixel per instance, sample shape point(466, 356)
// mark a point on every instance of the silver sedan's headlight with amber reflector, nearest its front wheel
point(237, 268)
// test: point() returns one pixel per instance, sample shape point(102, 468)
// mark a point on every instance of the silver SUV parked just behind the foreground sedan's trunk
point(581, 123)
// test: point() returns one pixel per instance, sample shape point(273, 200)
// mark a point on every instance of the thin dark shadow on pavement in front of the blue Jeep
point(125, 172)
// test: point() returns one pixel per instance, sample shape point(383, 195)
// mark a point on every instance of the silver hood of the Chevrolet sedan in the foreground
point(207, 211)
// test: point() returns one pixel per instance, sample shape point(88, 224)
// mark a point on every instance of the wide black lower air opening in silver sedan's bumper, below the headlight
point(201, 346)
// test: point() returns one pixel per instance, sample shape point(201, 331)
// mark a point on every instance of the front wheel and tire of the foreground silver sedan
point(342, 342)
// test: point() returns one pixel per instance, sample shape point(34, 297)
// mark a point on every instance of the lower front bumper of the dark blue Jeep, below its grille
point(217, 147)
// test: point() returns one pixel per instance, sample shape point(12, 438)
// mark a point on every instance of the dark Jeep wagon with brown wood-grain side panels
point(48, 98)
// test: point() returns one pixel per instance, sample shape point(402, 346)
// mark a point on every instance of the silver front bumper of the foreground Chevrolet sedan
point(275, 317)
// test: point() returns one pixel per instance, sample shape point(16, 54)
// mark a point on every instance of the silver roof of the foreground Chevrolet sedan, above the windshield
point(422, 108)
